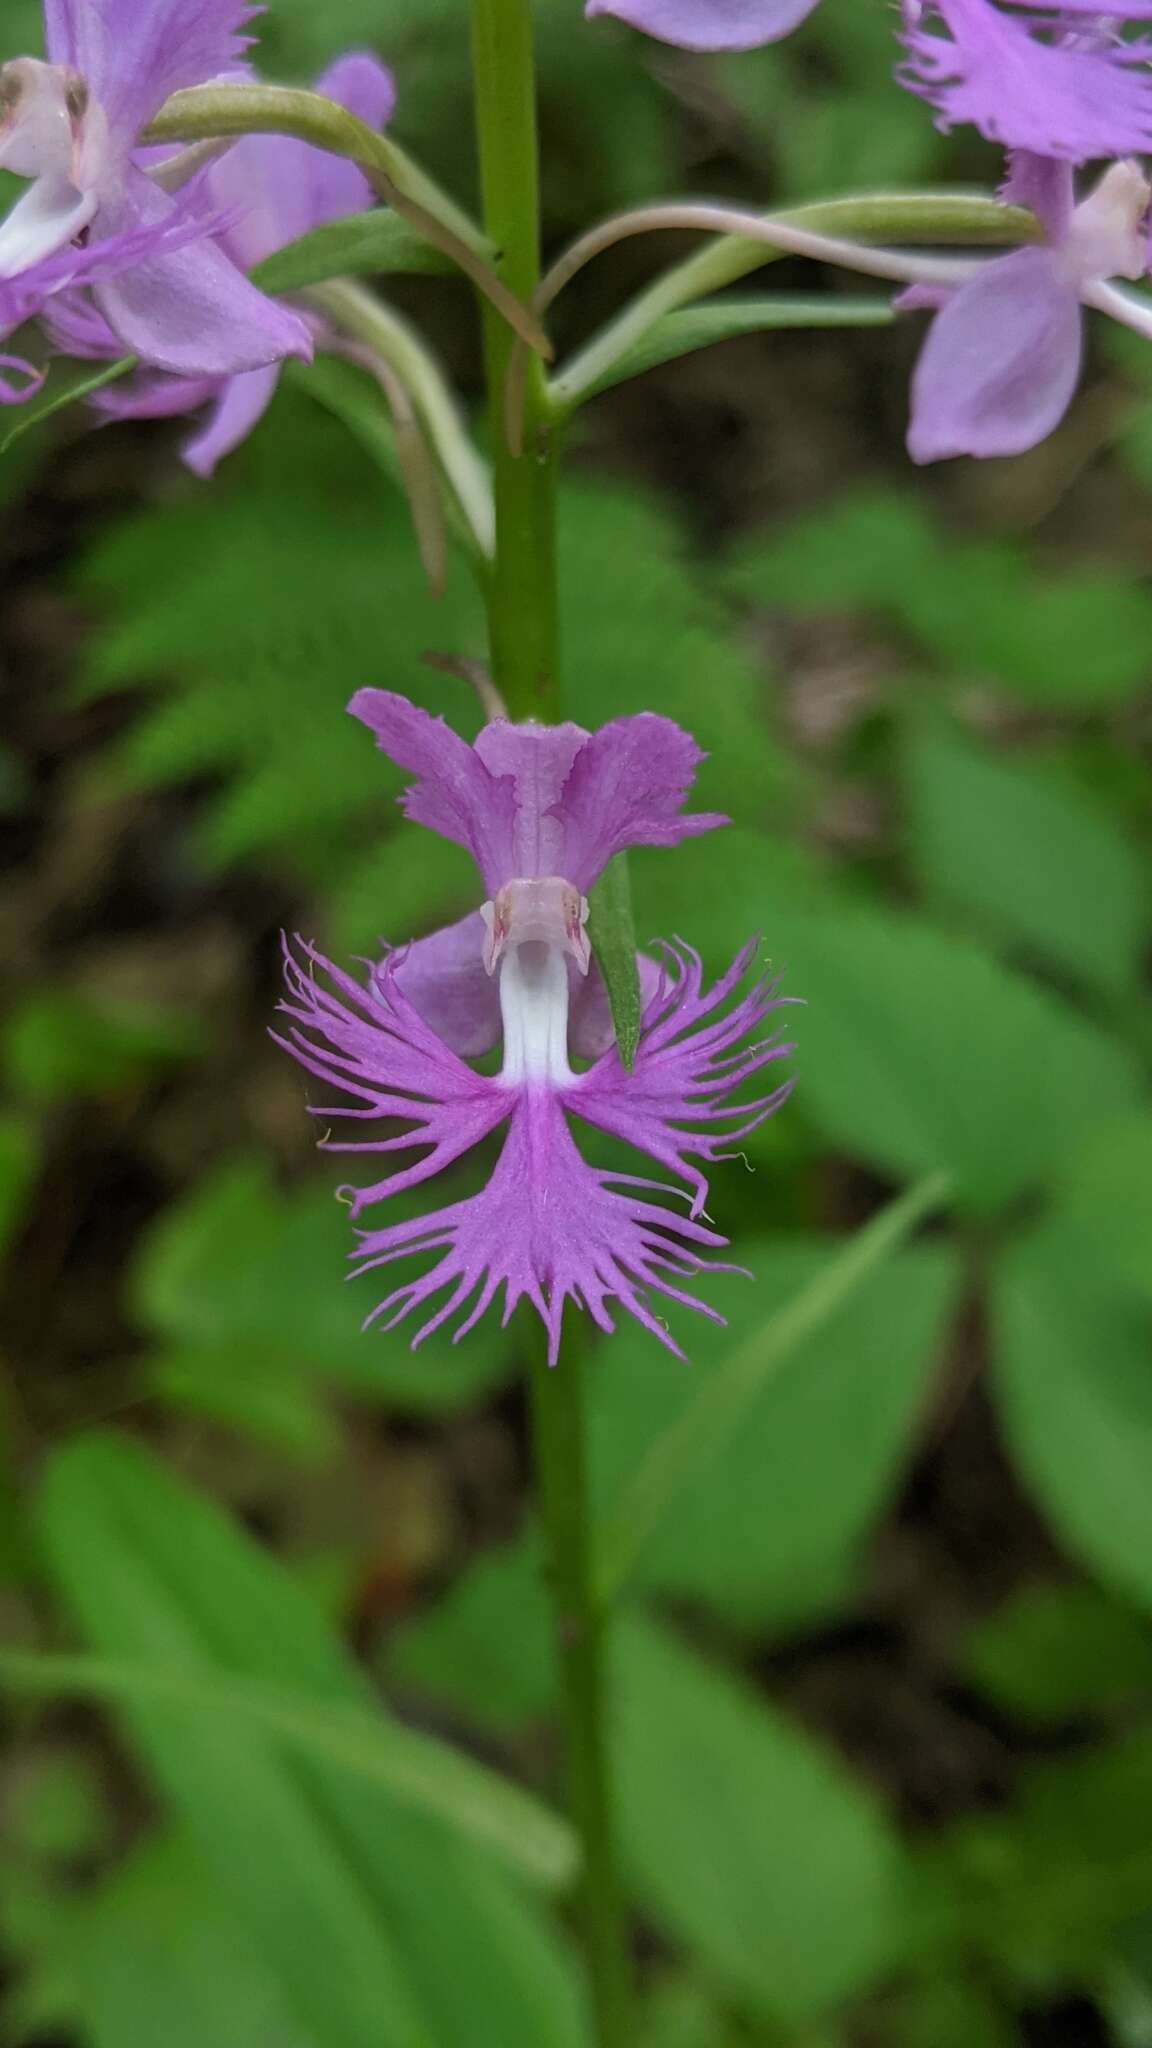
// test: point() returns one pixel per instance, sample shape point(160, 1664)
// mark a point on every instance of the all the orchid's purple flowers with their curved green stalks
point(134, 249)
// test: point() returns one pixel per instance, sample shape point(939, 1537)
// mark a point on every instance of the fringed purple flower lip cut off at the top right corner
point(1053, 77)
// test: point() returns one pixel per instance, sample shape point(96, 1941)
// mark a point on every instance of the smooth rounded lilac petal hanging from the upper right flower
point(1001, 361)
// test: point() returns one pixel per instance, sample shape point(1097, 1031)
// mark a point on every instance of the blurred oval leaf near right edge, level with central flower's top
point(1026, 857)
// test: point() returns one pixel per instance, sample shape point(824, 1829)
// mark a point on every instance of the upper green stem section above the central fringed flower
point(522, 605)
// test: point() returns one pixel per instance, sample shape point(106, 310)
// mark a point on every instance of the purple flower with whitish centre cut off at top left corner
point(73, 128)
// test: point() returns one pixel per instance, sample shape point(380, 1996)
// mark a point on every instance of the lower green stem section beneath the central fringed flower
point(561, 1463)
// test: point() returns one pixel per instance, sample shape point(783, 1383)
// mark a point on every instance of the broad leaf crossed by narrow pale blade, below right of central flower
point(718, 1467)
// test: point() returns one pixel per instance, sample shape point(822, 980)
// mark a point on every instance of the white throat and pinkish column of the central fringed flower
point(534, 929)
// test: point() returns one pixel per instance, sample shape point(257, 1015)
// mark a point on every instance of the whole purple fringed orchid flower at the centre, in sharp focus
point(542, 810)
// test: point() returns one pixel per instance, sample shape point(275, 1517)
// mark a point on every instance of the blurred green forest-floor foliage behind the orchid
point(884, 1707)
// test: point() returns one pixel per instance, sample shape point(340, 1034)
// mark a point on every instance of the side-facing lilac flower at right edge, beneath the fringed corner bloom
point(1003, 353)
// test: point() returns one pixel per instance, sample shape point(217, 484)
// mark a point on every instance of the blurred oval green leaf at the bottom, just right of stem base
point(745, 1840)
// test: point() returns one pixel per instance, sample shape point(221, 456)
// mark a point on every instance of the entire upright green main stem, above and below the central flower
point(522, 611)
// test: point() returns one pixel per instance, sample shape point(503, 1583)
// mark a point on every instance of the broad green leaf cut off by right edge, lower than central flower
point(1073, 1363)
